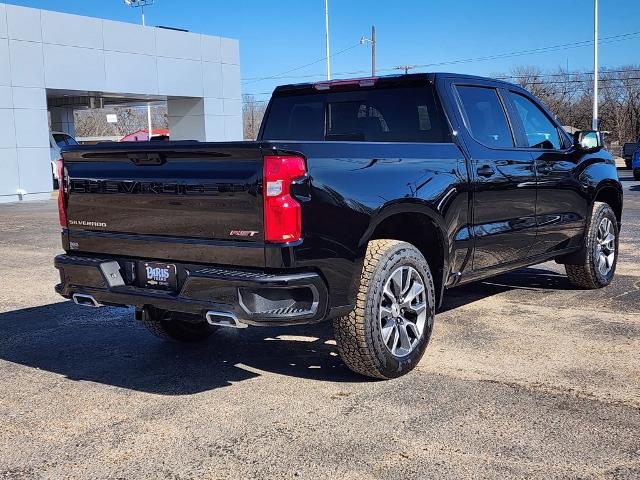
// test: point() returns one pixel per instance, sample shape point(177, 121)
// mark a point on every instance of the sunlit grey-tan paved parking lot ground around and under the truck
point(524, 377)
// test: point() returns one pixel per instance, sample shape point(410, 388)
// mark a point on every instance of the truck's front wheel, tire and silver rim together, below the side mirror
point(599, 265)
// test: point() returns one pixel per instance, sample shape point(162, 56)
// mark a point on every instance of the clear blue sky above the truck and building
point(280, 35)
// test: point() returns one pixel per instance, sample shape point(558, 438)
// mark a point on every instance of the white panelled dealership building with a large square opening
point(52, 63)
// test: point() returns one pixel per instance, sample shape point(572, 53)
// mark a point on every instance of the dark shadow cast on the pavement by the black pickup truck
point(107, 346)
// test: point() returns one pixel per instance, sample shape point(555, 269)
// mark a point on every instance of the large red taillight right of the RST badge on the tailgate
point(282, 213)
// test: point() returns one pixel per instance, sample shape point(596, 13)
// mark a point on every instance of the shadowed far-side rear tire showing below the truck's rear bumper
point(174, 326)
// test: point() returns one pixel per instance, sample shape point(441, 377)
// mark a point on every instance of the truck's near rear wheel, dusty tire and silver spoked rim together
point(387, 333)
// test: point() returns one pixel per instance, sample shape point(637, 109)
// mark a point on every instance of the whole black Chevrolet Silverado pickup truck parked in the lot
point(361, 202)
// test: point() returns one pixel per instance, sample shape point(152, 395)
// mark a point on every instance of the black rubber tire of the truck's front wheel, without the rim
point(587, 275)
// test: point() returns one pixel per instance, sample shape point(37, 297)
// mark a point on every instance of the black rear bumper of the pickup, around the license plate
point(254, 297)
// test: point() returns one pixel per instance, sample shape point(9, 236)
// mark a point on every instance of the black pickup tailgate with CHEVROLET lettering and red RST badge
point(185, 194)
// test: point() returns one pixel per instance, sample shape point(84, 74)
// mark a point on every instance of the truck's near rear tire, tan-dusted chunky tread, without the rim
point(359, 334)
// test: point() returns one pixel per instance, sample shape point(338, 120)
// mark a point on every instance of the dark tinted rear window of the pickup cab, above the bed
point(380, 115)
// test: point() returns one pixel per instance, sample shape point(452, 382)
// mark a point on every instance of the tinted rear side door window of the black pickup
point(485, 116)
